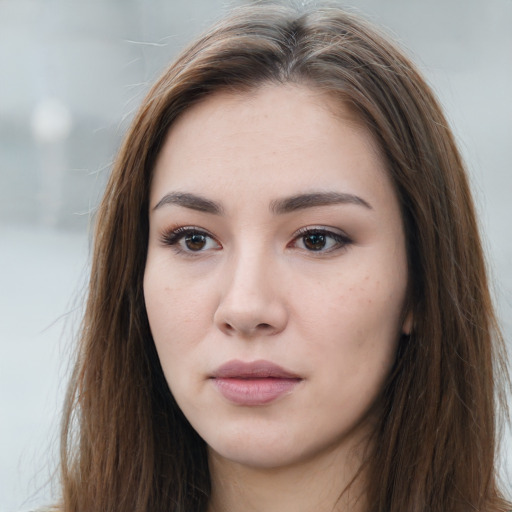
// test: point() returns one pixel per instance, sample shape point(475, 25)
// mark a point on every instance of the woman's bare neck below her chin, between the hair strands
point(332, 484)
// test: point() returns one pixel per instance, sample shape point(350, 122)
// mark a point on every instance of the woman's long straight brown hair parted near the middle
point(125, 443)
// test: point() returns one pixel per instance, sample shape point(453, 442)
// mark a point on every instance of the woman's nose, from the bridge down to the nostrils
point(252, 303)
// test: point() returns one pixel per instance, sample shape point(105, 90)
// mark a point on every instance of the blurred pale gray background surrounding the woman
point(71, 74)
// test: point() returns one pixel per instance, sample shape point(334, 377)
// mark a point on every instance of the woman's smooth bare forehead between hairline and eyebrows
point(278, 140)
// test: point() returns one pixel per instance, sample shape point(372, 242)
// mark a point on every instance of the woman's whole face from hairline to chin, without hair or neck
point(276, 274)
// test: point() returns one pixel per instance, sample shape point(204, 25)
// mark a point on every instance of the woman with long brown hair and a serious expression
point(288, 306)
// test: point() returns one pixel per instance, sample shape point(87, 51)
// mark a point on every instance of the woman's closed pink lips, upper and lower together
point(253, 383)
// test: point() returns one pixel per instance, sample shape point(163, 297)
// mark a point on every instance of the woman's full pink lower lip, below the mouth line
point(254, 391)
